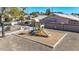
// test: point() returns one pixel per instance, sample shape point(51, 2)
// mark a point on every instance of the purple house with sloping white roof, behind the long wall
point(61, 18)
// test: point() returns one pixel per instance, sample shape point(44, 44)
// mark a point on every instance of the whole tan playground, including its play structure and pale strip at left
point(39, 34)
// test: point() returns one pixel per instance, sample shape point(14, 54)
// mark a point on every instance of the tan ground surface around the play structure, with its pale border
point(51, 41)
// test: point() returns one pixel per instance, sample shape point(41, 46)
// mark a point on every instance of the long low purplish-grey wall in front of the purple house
point(67, 27)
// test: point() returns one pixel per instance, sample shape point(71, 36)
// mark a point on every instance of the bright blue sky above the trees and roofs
point(67, 10)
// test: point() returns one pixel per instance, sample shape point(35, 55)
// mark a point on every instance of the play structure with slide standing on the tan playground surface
point(38, 29)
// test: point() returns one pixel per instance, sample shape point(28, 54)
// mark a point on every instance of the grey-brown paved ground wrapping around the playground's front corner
point(14, 43)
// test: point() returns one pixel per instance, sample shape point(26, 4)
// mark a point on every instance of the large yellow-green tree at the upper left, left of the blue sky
point(17, 12)
